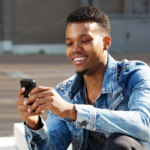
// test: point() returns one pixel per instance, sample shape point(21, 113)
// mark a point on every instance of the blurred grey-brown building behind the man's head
point(32, 26)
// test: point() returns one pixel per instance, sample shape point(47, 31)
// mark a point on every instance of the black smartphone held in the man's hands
point(29, 84)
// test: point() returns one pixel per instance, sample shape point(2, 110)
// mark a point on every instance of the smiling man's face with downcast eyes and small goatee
point(84, 46)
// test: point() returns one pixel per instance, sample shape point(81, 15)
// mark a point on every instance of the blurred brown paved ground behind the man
point(47, 70)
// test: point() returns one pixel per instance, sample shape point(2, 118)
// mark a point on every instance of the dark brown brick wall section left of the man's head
point(36, 22)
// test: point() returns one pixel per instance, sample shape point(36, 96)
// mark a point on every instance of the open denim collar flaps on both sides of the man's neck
point(109, 81)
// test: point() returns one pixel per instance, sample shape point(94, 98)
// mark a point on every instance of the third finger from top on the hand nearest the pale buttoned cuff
point(39, 102)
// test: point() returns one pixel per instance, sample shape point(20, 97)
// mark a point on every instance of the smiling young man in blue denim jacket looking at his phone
point(105, 106)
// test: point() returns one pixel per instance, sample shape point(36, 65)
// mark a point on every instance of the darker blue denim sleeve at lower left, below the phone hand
point(54, 135)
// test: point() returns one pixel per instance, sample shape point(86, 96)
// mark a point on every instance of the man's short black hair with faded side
point(89, 13)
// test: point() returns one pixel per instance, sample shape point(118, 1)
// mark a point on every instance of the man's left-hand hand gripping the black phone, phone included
point(32, 118)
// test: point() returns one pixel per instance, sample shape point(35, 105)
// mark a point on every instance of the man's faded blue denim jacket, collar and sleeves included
point(123, 106)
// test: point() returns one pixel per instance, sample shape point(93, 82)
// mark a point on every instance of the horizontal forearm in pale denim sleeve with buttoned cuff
point(133, 123)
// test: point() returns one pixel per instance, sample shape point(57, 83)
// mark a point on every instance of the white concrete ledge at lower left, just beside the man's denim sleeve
point(19, 136)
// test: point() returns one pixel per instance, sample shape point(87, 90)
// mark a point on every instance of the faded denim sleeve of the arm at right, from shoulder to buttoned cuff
point(134, 122)
